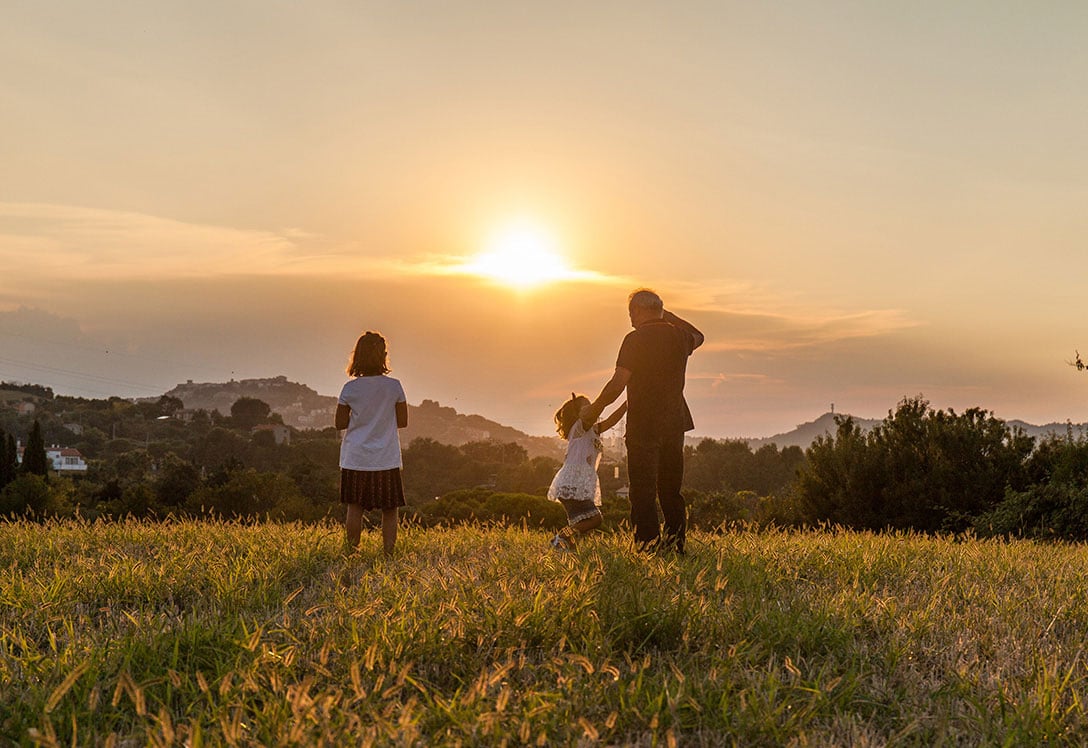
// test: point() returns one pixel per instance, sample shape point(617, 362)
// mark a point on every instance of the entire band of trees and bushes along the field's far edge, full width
point(921, 469)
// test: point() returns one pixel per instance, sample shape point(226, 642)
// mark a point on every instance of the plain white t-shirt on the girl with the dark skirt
point(372, 441)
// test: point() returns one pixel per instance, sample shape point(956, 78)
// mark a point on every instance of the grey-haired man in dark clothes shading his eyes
point(652, 366)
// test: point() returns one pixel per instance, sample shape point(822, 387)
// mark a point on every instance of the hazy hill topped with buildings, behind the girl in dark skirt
point(304, 408)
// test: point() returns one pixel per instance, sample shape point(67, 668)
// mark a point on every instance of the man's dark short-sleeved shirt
point(657, 355)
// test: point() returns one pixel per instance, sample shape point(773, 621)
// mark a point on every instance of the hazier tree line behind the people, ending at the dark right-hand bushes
point(145, 463)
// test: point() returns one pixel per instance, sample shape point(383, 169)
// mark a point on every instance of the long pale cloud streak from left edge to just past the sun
point(51, 242)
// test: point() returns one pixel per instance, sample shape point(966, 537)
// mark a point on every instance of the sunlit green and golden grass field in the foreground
point(196, 633)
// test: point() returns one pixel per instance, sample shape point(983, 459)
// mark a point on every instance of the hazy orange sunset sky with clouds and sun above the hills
point(856, 202)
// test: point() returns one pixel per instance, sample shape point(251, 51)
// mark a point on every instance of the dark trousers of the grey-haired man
point(656, 469)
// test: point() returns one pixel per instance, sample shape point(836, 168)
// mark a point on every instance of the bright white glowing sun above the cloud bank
point(522, 255)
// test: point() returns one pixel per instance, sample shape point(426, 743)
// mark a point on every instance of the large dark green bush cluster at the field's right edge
point(938, 471)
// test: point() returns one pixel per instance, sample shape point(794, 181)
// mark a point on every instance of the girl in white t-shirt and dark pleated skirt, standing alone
point(372, 407)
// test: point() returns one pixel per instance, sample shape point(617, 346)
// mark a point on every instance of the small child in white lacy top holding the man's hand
point(576, 487)
